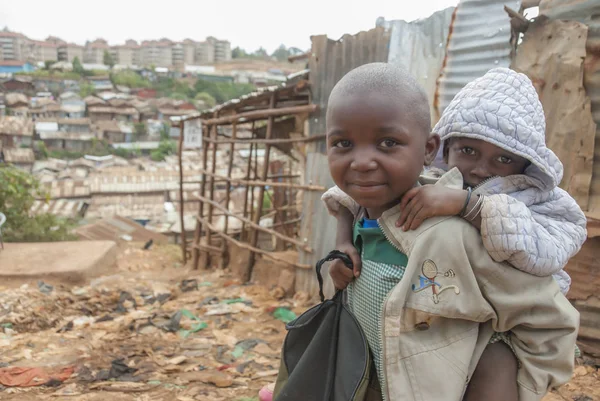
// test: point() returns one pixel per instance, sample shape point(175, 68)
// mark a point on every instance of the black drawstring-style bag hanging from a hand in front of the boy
point(325, 355)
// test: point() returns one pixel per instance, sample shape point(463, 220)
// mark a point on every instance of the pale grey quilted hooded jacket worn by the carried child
point(527, 220)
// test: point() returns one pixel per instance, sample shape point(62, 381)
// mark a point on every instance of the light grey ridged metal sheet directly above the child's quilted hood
point(479, 41)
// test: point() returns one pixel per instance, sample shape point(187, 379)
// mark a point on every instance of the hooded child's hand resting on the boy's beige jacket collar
point(427, 201)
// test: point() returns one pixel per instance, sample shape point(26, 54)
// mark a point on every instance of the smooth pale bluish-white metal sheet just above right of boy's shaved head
point(420, 47)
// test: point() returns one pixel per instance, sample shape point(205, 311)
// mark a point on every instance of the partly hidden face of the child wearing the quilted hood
point(478, 160)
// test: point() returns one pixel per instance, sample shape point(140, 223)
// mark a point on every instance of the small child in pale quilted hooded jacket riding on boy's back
point(493, 133)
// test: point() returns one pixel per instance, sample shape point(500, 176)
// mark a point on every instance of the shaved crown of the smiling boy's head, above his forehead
point(388, 81)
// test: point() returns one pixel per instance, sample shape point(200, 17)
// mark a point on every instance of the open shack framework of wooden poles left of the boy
point(221, 127)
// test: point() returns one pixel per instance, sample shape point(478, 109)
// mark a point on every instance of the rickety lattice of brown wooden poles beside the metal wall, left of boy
point(271, 106)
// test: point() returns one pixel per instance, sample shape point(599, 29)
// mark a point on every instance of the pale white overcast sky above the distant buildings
point(245, 23)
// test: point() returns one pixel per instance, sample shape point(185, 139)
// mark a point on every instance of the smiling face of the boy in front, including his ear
point(375, 150)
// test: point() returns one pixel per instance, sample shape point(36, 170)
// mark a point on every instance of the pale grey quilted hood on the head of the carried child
point(503, 108)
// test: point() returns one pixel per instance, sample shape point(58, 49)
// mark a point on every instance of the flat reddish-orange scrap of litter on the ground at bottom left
point(29, 377)
